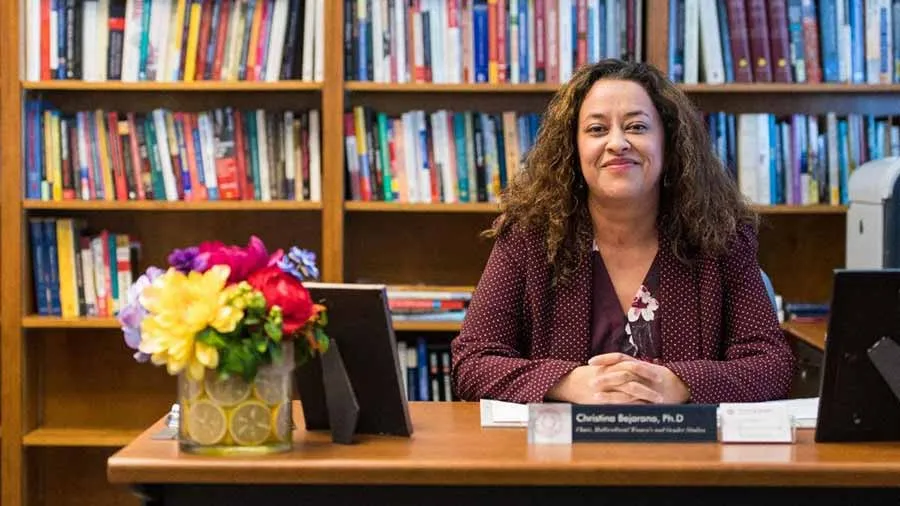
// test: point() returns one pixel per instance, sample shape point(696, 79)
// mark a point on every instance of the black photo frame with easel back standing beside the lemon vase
point(359, 323)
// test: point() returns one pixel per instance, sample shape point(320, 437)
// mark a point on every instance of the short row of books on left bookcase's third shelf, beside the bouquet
point(80, 274)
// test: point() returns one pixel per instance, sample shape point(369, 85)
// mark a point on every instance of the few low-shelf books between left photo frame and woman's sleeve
point(427, 370)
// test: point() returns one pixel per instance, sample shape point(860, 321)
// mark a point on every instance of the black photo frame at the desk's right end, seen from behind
point(856, 401)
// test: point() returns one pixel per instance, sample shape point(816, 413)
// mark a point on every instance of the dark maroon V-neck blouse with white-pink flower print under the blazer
point(635, 332)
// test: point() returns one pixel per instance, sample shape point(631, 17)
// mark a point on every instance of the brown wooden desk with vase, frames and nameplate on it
point(452, 460)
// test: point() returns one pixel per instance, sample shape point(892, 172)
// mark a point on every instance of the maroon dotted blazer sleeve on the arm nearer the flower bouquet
point(489, 354)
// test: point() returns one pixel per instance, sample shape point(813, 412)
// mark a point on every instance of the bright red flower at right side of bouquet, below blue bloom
point(287, 292)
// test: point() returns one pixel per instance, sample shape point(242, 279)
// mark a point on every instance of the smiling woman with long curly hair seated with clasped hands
point(624, 268)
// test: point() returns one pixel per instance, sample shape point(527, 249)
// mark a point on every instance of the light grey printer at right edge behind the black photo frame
point(873, 216)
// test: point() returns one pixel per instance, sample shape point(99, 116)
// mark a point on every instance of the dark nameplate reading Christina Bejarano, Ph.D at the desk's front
point(551, 423)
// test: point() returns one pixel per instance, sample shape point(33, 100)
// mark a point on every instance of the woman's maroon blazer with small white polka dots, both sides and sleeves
point(719, 332)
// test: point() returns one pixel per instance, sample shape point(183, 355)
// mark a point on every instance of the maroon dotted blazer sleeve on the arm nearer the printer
point(757, 362)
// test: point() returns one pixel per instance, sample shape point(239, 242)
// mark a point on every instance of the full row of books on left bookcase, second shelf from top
point(223, 154)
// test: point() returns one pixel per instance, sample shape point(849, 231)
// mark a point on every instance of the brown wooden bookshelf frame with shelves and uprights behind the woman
point(358, 240)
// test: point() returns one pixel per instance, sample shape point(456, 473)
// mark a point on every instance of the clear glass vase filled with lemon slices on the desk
point(237, 417)
